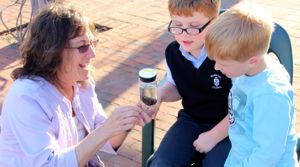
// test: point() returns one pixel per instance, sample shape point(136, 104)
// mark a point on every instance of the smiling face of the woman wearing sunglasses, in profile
point(76, 58)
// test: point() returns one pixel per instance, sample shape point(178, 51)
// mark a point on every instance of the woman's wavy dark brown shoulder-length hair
point(49, 33)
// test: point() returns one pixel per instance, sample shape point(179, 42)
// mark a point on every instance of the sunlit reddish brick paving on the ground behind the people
point(137, 39)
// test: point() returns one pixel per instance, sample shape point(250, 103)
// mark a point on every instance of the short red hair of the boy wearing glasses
point(210, 8)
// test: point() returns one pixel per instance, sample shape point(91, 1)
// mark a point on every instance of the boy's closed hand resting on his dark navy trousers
point(205, 142)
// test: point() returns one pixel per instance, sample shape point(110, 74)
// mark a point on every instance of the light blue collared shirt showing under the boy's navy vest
point(195, 61)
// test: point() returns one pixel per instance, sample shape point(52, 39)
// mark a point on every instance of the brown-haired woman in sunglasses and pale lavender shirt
point(51, 115)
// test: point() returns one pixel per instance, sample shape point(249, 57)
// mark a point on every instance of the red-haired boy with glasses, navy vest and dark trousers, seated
point(200, 131)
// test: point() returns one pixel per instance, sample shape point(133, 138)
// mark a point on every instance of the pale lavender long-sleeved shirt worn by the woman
point(37, 128)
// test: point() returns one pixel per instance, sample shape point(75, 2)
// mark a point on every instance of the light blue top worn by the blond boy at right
point(262, 120)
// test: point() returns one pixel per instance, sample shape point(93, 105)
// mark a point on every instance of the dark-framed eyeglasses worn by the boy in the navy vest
point(189, 30)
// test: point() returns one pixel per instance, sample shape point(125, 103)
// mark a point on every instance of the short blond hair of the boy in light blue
point(241, 32)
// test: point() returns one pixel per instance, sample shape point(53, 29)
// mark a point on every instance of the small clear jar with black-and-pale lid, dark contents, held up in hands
point(148, 86)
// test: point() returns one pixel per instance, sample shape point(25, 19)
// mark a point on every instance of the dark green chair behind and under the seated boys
point(280, 46)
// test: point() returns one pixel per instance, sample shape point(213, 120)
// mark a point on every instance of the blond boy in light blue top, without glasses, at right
point(261, 100)
